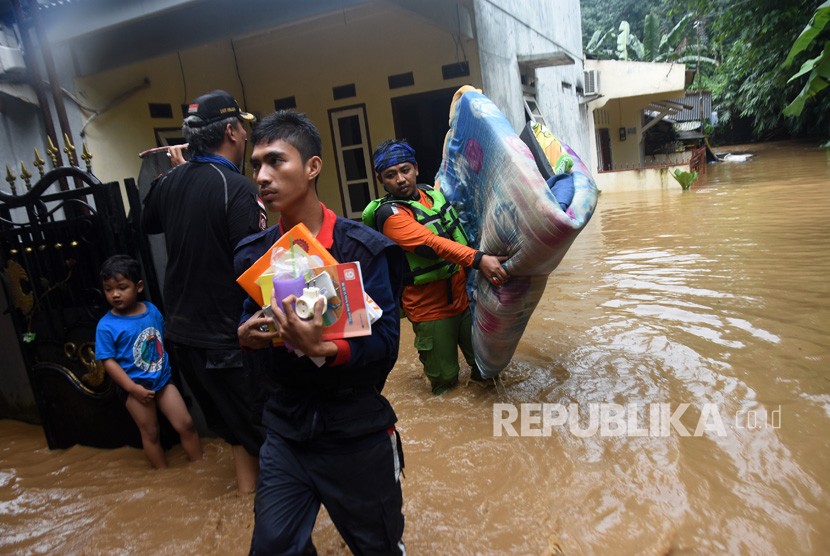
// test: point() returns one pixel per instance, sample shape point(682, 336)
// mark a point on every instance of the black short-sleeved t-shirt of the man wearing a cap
point(204, 210)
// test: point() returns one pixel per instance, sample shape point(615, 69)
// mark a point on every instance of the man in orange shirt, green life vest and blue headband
point(419, 219)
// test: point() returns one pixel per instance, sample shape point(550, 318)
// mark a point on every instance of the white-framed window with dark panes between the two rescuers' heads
point(354, 165)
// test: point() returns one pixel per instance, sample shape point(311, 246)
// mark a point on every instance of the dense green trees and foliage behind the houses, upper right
point(750, 41)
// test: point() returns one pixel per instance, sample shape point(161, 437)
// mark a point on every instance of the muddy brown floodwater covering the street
point(715, 297)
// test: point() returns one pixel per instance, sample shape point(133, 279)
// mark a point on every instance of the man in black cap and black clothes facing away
point(205, 207)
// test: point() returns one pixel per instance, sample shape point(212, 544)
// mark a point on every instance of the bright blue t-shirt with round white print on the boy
point(137, 344)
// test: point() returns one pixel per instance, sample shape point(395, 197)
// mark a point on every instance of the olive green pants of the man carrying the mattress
point(437, 343)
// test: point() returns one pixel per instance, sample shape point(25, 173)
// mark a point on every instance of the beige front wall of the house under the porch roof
point(361, 46)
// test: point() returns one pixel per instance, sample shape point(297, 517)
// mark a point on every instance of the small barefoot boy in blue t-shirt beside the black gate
point(129, 342)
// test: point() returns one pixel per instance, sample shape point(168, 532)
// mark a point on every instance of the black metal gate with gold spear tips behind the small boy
point(53, 239)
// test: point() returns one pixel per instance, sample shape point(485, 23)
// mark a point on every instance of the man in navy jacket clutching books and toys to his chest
point(331, 435)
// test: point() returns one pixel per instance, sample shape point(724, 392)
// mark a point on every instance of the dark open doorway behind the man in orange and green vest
point(423, 120)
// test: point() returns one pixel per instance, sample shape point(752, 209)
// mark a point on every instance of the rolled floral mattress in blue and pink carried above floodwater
point(490, 176)
